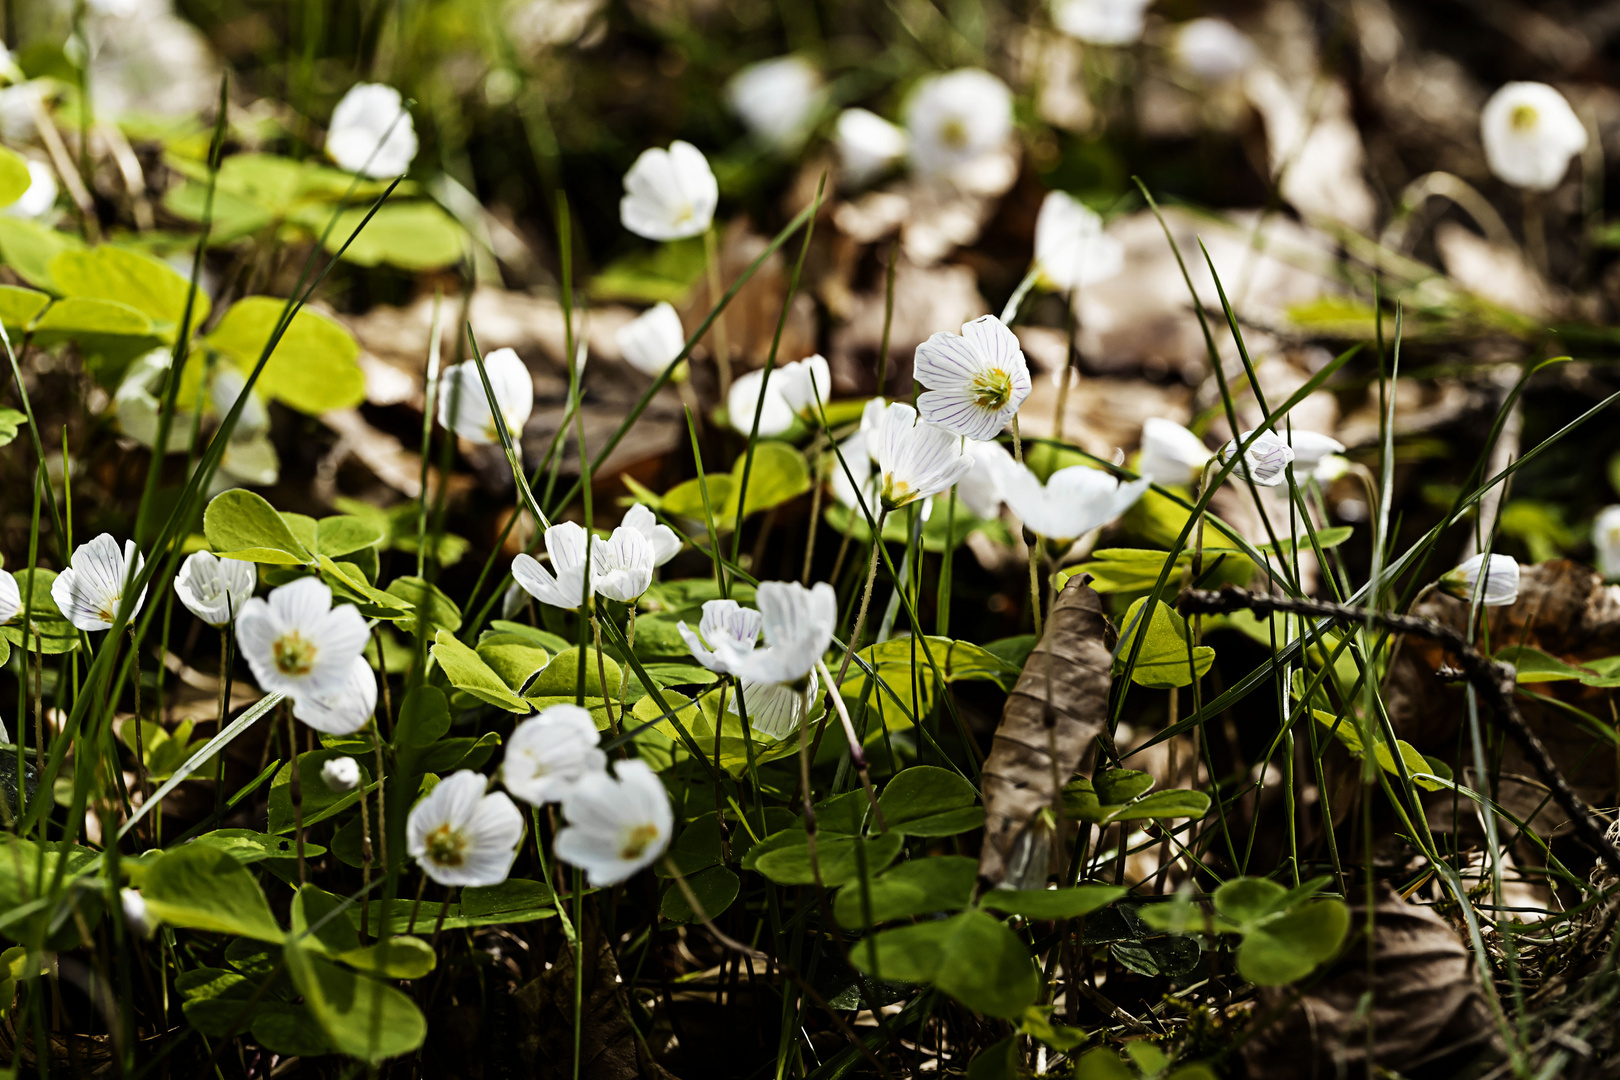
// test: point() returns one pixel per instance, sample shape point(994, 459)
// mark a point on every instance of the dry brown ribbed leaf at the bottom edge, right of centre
point(1430, 1014)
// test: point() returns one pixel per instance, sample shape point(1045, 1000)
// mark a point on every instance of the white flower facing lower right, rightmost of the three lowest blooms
point(618, 825)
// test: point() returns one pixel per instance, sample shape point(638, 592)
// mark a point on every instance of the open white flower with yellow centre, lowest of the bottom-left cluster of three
point(461, 836)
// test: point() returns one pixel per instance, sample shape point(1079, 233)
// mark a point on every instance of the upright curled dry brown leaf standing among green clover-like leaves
point(1049, 723)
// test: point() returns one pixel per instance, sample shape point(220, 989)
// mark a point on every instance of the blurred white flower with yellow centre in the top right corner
point(1530, 135)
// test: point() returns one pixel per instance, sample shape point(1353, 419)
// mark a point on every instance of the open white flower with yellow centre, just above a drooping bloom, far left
point(297, 644)
